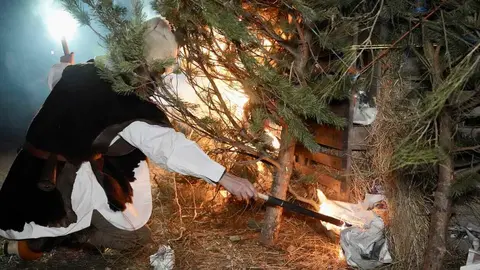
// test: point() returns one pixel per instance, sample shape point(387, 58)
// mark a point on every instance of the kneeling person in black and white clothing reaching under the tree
point(82, 174)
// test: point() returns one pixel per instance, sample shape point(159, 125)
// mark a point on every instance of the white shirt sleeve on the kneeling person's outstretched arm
point(171, 150)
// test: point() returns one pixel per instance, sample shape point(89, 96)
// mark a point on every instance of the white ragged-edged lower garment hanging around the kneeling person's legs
point(88, 195)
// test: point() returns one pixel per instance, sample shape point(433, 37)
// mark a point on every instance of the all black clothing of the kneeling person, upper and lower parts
point(81, 108)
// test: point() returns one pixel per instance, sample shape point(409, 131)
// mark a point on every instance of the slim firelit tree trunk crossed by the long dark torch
point(279, 188)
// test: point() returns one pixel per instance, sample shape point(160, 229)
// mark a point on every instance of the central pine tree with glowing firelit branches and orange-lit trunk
point(264, 51)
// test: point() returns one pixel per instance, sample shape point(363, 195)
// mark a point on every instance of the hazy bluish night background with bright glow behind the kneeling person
point(26, 56)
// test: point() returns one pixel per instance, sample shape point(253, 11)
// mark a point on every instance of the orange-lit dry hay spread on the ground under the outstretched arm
point(222, 234)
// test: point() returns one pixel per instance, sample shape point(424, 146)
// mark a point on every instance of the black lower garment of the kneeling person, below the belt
point(22, 201)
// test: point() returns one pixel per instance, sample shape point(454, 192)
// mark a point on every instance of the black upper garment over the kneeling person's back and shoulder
point(79, 108)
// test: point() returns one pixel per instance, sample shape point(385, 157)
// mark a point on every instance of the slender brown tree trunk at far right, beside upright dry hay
point(436, 247)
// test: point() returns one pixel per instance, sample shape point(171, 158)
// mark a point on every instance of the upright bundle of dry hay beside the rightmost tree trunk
point(407, 228)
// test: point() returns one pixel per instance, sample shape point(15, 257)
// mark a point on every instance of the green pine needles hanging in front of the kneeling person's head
point(125, 65)
